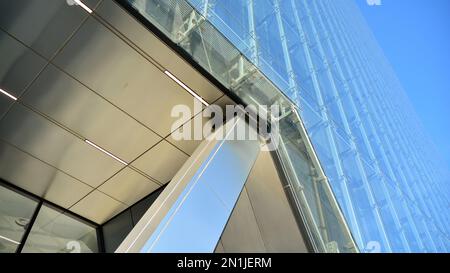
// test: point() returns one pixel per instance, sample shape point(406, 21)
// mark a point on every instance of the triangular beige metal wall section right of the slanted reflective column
point(263, 220)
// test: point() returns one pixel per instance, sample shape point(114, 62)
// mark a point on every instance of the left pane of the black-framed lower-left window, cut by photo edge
point(16, 211)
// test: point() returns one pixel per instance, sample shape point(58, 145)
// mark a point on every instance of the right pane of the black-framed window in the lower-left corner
point(56, 232)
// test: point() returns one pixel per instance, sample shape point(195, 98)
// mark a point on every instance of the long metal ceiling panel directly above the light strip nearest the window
point(78, 108)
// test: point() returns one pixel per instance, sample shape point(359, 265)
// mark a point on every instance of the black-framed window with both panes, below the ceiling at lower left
point(31, 225)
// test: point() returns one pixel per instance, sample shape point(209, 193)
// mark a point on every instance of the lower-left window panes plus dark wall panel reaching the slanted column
point(29, 224)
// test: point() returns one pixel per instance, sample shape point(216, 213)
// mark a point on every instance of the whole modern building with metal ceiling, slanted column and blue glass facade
point(90, 154)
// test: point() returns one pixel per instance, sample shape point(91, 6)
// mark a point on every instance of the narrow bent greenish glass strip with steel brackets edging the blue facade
point(231, 66)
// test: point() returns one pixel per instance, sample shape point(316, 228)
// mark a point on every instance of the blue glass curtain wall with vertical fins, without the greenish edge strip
point(322, 55)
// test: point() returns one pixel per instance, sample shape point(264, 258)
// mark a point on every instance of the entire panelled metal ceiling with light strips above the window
point(102, 85)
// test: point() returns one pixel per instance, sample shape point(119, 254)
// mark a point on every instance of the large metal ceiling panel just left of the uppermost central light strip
point(102, 61)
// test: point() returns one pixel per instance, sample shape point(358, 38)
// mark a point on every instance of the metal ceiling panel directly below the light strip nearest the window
point(54, 145)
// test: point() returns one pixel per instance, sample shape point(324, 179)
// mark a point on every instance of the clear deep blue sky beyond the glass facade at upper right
point(415, 36)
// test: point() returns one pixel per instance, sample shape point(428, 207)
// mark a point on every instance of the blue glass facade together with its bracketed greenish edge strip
point(382, 170)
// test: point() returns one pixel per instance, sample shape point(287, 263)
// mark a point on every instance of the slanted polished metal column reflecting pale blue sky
point(190, 214)
